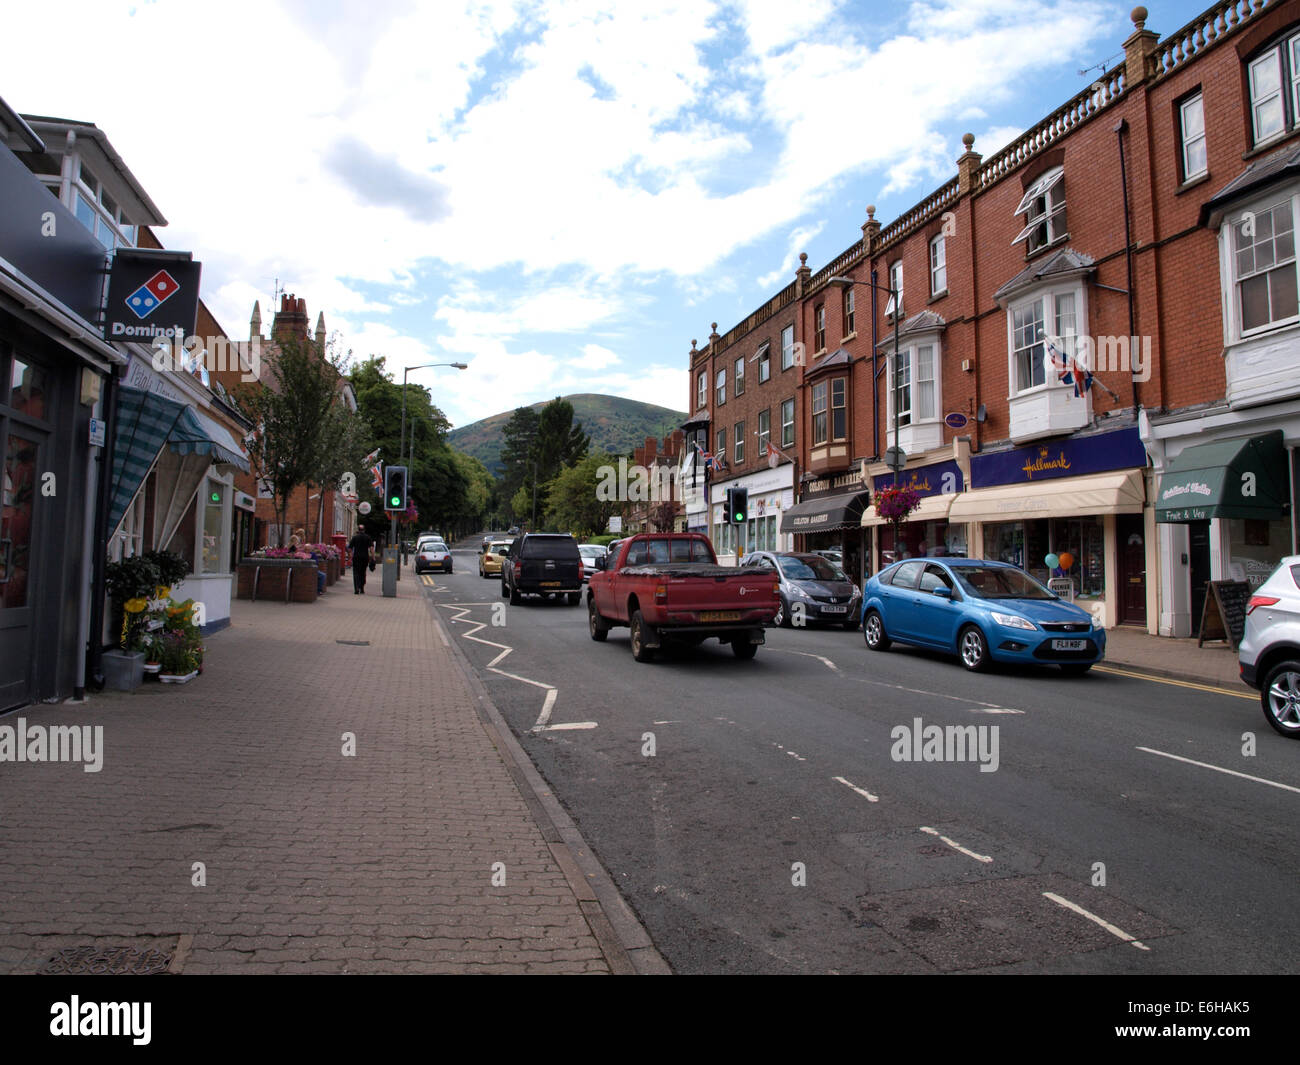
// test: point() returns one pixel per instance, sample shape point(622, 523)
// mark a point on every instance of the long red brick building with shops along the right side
point(1059, 326)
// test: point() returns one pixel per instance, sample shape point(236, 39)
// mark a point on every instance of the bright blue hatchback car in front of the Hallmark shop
point(981, 612)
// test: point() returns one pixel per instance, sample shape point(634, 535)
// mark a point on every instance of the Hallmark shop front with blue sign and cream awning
point(1072, 510)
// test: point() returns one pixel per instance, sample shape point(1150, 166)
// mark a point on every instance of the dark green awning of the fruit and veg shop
point(1245, 478)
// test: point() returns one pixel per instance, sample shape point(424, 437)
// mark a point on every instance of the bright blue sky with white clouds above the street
point(562, 194)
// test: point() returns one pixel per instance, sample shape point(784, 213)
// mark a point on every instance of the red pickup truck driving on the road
point(669, 587)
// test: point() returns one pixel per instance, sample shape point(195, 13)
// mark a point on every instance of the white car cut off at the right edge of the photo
point(1269, 653)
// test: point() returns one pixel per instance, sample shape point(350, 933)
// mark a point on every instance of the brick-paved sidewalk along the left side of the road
point(315, 863)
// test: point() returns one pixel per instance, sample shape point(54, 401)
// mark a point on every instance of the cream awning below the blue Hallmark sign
point(1064, 497)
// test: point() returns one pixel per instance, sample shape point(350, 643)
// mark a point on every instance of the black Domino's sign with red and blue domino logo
point(151, 295)
